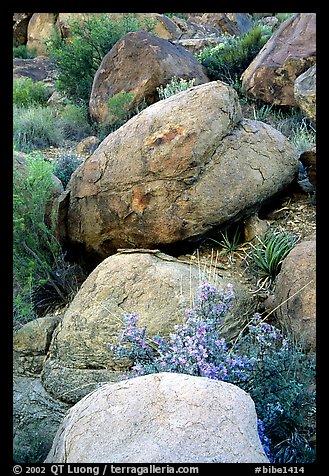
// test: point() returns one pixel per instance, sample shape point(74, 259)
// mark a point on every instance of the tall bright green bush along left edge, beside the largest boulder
point(38, 259)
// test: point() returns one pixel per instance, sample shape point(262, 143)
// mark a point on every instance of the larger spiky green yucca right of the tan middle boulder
point(266, 256)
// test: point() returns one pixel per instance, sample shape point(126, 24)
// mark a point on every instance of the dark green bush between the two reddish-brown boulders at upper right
point(228, 60)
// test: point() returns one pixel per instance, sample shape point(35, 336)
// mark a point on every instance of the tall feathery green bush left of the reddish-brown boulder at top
point(77, 58)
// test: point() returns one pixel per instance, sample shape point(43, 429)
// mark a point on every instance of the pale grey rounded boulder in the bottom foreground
point(161, 418)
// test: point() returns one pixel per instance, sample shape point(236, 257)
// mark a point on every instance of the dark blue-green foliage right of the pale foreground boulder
point(282, 386)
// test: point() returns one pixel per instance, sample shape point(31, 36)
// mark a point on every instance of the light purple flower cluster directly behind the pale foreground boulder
point(195, 348)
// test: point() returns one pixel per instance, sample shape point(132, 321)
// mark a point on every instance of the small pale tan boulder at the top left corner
point(40, 28)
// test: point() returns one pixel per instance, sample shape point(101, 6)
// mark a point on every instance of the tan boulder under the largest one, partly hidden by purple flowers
point(156, 286)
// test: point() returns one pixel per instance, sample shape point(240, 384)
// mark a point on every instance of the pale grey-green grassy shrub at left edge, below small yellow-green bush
point(35, 127)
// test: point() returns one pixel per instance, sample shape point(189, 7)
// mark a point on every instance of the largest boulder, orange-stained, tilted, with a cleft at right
point(173, 173)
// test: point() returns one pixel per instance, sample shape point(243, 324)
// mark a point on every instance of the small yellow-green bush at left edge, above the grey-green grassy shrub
point(27, 92)
